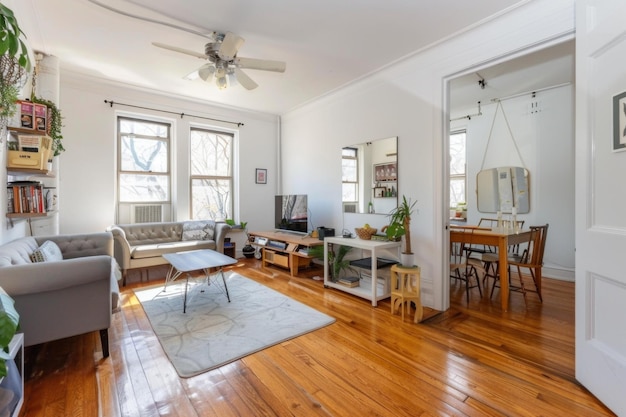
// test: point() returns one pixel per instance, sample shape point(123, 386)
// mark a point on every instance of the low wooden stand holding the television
point(284, 249)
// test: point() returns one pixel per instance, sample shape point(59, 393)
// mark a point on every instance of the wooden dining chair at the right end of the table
point(530, 259)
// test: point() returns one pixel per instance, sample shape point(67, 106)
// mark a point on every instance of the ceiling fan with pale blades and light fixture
point(224, 64)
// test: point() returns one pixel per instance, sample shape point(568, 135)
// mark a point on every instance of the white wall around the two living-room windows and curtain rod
point(88, 167)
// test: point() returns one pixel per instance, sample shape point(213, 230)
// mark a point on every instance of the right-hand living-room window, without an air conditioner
point(211, 162)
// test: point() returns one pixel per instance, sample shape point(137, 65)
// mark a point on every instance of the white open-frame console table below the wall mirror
point(372, 293)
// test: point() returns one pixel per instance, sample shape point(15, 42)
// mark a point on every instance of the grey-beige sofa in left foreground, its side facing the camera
point(71, 293)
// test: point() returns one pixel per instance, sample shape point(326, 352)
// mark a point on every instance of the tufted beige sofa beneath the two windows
point(142, 245)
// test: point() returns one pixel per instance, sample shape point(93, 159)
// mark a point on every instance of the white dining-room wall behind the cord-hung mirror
point(542, 141)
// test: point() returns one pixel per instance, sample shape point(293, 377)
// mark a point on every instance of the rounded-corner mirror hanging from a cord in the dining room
point(502, 188)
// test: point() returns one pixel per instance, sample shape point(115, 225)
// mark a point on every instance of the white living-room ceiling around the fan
point(326, 43)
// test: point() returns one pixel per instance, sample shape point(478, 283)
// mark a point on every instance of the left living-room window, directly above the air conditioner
point(143, 166)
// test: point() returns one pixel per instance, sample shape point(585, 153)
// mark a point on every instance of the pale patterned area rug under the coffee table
point(214, 332)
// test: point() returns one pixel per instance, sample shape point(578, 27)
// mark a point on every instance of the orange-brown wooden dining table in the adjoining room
point(500, 237)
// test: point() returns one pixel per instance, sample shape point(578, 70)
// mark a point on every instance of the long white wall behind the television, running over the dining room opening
point(408, 100)
